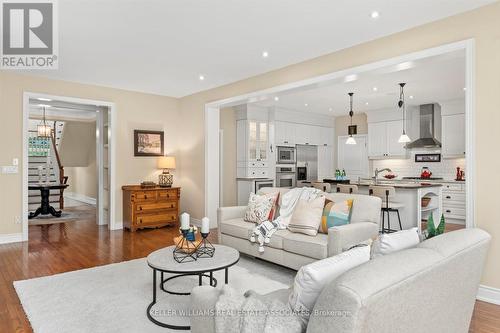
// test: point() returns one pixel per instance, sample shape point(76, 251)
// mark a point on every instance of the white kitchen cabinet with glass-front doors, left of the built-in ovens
point(252, 148)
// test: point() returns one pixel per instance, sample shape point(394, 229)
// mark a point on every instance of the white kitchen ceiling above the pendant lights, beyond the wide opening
point(429, 80)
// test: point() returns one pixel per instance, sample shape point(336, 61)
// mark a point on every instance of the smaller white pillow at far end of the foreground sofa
point(396, 241)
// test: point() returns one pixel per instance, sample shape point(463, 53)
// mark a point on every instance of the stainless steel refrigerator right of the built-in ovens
point(307, 165)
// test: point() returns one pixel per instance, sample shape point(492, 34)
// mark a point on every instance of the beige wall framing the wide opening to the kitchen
point(483, 25)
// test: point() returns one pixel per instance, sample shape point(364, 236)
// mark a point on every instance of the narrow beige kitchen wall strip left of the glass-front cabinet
point(228, 126)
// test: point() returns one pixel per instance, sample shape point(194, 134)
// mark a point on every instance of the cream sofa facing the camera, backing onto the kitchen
point(294, 249)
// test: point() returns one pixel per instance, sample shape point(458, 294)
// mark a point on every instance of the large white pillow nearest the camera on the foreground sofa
point(311, 279)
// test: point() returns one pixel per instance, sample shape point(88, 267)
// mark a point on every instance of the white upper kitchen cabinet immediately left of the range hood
point(383, 140)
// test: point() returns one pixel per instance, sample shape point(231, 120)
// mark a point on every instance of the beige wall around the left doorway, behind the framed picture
point(134, 111)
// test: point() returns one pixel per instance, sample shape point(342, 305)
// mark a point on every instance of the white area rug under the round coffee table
point(114, 298)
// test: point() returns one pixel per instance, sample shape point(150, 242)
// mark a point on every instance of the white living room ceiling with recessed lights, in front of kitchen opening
point(163, 46)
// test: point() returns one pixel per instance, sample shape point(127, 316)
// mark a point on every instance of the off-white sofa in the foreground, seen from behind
point(430, 288)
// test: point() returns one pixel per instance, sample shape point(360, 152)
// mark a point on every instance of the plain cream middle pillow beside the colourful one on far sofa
point(307, 216)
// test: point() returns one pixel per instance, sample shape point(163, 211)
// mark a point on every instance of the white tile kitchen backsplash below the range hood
point(446, 169)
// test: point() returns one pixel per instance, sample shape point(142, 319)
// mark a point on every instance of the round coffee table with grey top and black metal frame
point(163, 261)
